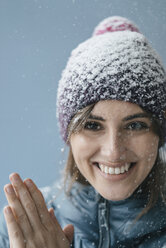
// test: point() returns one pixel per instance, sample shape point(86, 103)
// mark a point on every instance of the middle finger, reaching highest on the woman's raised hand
point(26, 201)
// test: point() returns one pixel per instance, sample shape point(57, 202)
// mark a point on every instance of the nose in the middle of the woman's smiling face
point(113, 147)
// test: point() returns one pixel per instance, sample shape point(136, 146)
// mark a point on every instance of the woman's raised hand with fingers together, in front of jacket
point(30, 224)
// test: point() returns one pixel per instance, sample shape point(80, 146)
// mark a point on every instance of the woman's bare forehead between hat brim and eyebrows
point(113, 109)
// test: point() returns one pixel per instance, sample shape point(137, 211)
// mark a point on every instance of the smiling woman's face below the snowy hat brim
point(116, 149)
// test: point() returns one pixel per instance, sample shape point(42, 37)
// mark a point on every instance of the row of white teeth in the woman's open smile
point(115, 170)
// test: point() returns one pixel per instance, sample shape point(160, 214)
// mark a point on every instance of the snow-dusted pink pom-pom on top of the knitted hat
point(114, 24)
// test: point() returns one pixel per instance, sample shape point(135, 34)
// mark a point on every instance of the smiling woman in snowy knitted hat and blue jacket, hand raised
point(111, 109)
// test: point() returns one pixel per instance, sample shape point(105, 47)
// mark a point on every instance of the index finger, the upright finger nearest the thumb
point(39, 202)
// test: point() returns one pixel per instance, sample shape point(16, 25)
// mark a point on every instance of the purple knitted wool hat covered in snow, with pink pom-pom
point(119, 64)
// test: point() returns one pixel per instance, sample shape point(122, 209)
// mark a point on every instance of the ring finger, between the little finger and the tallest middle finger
point(17, 208)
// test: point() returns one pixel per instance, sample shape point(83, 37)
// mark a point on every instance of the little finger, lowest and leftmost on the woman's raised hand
point(15, 234)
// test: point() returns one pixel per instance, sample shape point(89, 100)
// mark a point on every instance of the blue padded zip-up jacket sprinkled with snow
point(100, 223)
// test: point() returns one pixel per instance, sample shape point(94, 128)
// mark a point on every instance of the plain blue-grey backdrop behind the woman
point(36, 37)
